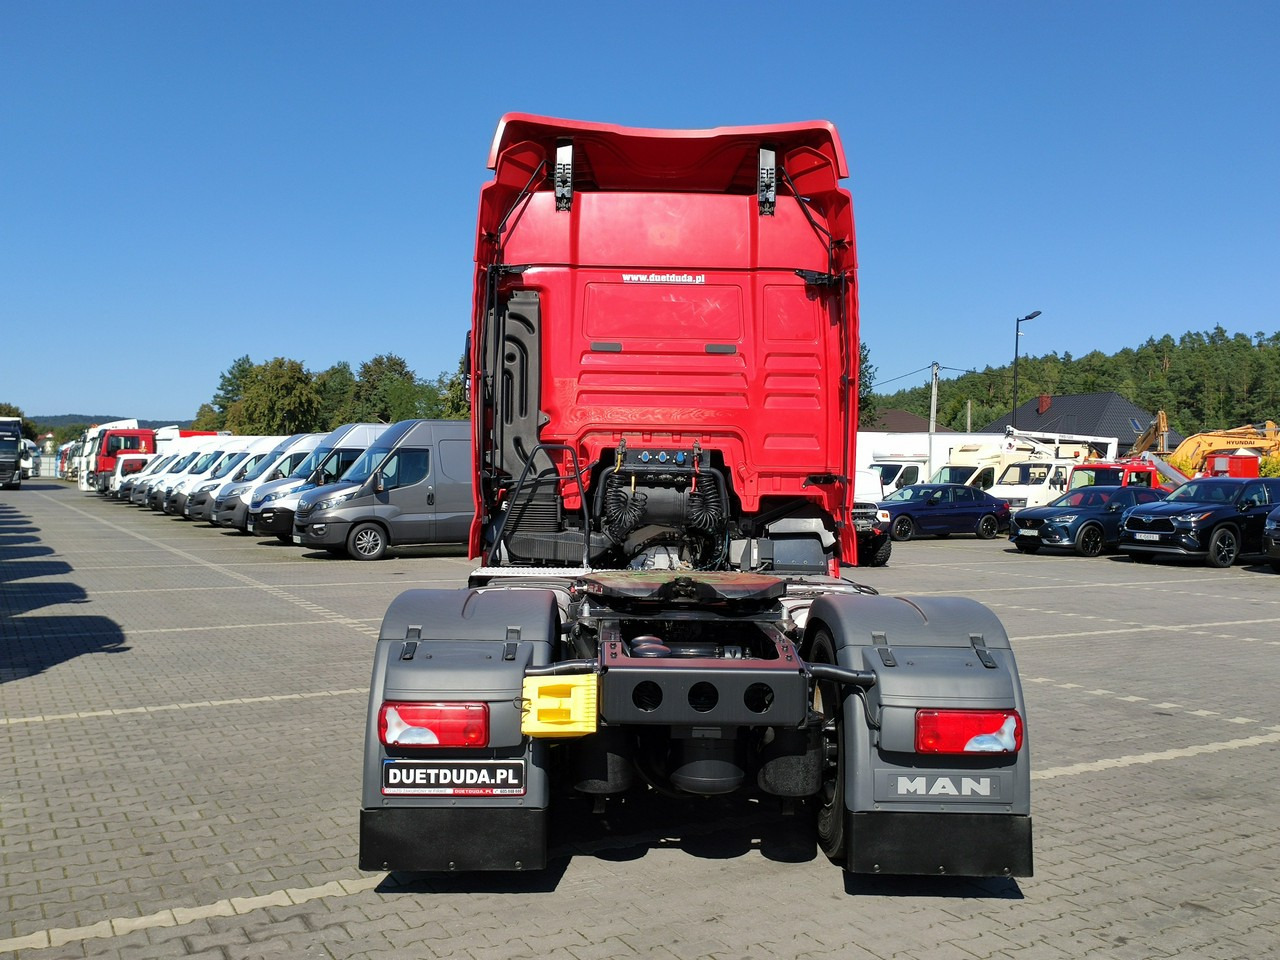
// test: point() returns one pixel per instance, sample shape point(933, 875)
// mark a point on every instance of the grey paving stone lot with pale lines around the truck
point(182, 710)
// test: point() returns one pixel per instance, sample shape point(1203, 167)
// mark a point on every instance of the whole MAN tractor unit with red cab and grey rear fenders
point(664, 383)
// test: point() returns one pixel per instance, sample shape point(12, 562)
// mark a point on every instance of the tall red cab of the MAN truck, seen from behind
point(665, 350)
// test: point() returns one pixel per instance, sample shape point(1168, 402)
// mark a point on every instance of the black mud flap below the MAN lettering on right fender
point(939, 844)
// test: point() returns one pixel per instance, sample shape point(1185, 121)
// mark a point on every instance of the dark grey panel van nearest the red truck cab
point(412, 487)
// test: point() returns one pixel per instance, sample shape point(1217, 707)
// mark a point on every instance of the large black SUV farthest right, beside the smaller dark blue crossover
point(1218, 519)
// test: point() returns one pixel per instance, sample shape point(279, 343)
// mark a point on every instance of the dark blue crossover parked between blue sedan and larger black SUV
point(1086, 520)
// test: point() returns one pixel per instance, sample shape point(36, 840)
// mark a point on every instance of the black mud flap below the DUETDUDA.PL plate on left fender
point(449, 839)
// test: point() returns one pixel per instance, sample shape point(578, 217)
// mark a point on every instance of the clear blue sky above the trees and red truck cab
point(185, 184)
